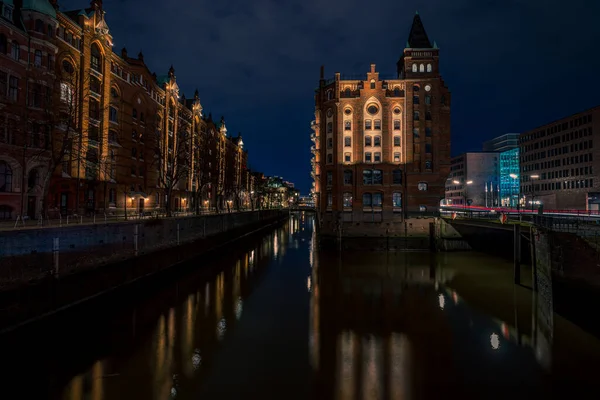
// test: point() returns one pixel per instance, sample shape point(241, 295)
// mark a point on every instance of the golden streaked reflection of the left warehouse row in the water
point(193, 327)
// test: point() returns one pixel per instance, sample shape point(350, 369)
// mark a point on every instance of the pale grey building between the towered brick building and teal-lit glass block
point(473, 180)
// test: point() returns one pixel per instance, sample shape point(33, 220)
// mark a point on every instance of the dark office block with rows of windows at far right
point(558, 161)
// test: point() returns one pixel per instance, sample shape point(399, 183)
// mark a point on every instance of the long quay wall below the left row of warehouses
point(28, 254)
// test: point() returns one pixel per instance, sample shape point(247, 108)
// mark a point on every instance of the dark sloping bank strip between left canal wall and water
point(42, 297)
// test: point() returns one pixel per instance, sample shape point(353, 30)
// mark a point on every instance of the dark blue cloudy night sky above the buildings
point(511, 65)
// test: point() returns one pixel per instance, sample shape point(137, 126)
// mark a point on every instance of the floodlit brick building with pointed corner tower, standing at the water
point(382, 145)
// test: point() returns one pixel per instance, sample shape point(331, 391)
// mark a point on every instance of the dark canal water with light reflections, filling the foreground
point(276, 317)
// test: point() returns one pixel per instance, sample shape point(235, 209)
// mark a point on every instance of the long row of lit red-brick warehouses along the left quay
point(84, 129)
